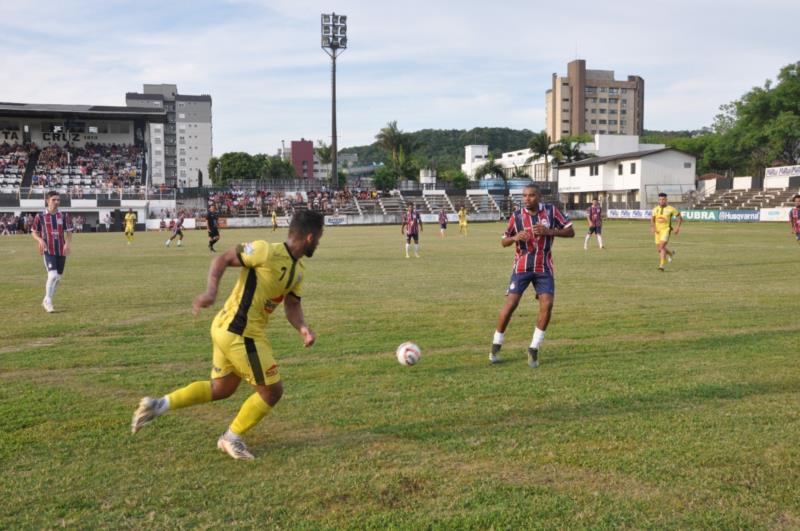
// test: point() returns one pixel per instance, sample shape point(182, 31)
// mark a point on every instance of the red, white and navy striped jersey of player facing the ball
point(534, 255)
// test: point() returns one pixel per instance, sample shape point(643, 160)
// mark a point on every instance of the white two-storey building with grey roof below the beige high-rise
point(622, 177)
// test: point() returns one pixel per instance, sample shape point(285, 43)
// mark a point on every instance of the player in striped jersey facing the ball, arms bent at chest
point(532, 229)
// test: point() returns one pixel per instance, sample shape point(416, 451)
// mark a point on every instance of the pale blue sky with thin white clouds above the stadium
point(426, 64)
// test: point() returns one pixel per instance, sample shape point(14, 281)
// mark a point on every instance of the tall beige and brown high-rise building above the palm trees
point(592, 101)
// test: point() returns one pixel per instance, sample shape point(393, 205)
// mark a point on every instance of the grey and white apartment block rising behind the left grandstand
point(181, 148)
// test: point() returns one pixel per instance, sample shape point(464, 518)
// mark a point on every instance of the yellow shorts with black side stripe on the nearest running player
point(249, 358)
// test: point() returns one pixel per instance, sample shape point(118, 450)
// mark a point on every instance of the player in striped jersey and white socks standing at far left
point(53, 232)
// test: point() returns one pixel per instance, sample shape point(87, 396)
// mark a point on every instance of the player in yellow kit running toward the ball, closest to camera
point(270, 273)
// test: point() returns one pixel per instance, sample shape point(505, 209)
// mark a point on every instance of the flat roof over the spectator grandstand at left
point(86, 111)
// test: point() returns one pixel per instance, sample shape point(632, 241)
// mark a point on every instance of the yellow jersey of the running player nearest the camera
point(269, 273)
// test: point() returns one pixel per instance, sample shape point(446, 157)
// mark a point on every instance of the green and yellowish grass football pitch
point(663, 400)
